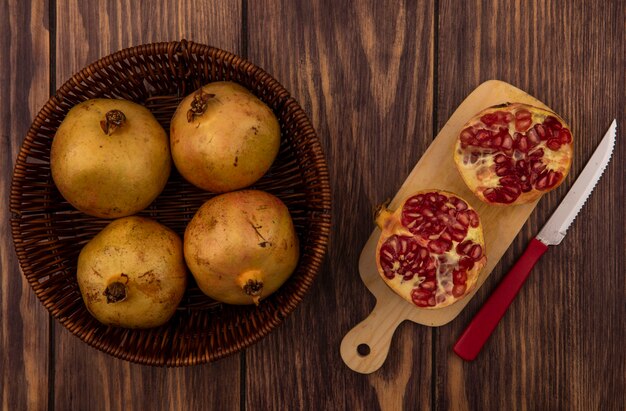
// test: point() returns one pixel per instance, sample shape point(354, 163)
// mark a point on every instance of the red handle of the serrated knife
point(478, 331)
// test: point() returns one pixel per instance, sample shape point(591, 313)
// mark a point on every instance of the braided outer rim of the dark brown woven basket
point(158, 48)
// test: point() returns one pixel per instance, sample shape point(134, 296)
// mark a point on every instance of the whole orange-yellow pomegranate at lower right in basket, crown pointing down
point(241, 246)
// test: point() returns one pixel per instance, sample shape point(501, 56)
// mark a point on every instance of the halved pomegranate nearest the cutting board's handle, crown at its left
point(431, 248)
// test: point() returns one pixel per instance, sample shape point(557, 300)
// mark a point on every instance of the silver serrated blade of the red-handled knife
point(555, 229)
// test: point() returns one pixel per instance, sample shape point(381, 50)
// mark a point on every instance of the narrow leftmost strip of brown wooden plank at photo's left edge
point(24, 88)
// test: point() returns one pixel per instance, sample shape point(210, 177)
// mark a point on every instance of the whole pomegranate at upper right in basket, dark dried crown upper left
point(223, 138)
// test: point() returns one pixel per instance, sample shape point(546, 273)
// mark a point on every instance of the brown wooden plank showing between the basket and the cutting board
point(364, 74)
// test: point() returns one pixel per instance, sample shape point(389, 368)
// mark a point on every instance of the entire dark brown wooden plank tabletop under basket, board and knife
point(378, 79)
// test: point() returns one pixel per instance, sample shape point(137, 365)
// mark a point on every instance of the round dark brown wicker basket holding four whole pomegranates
point(49, 233)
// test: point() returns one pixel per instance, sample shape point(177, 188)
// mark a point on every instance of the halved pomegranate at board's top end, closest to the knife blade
point(513, 153)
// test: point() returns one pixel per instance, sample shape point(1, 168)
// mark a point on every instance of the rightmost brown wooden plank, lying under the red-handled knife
point(560, 346)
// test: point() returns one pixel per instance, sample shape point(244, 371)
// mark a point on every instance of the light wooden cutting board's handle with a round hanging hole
point(365, 347)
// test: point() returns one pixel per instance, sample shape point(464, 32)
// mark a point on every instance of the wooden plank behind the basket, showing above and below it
point(84, 377)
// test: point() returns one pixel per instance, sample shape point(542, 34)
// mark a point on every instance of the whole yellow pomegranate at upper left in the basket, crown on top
point(110, 158)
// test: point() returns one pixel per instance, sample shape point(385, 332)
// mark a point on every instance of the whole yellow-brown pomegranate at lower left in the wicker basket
point(132, 274)
